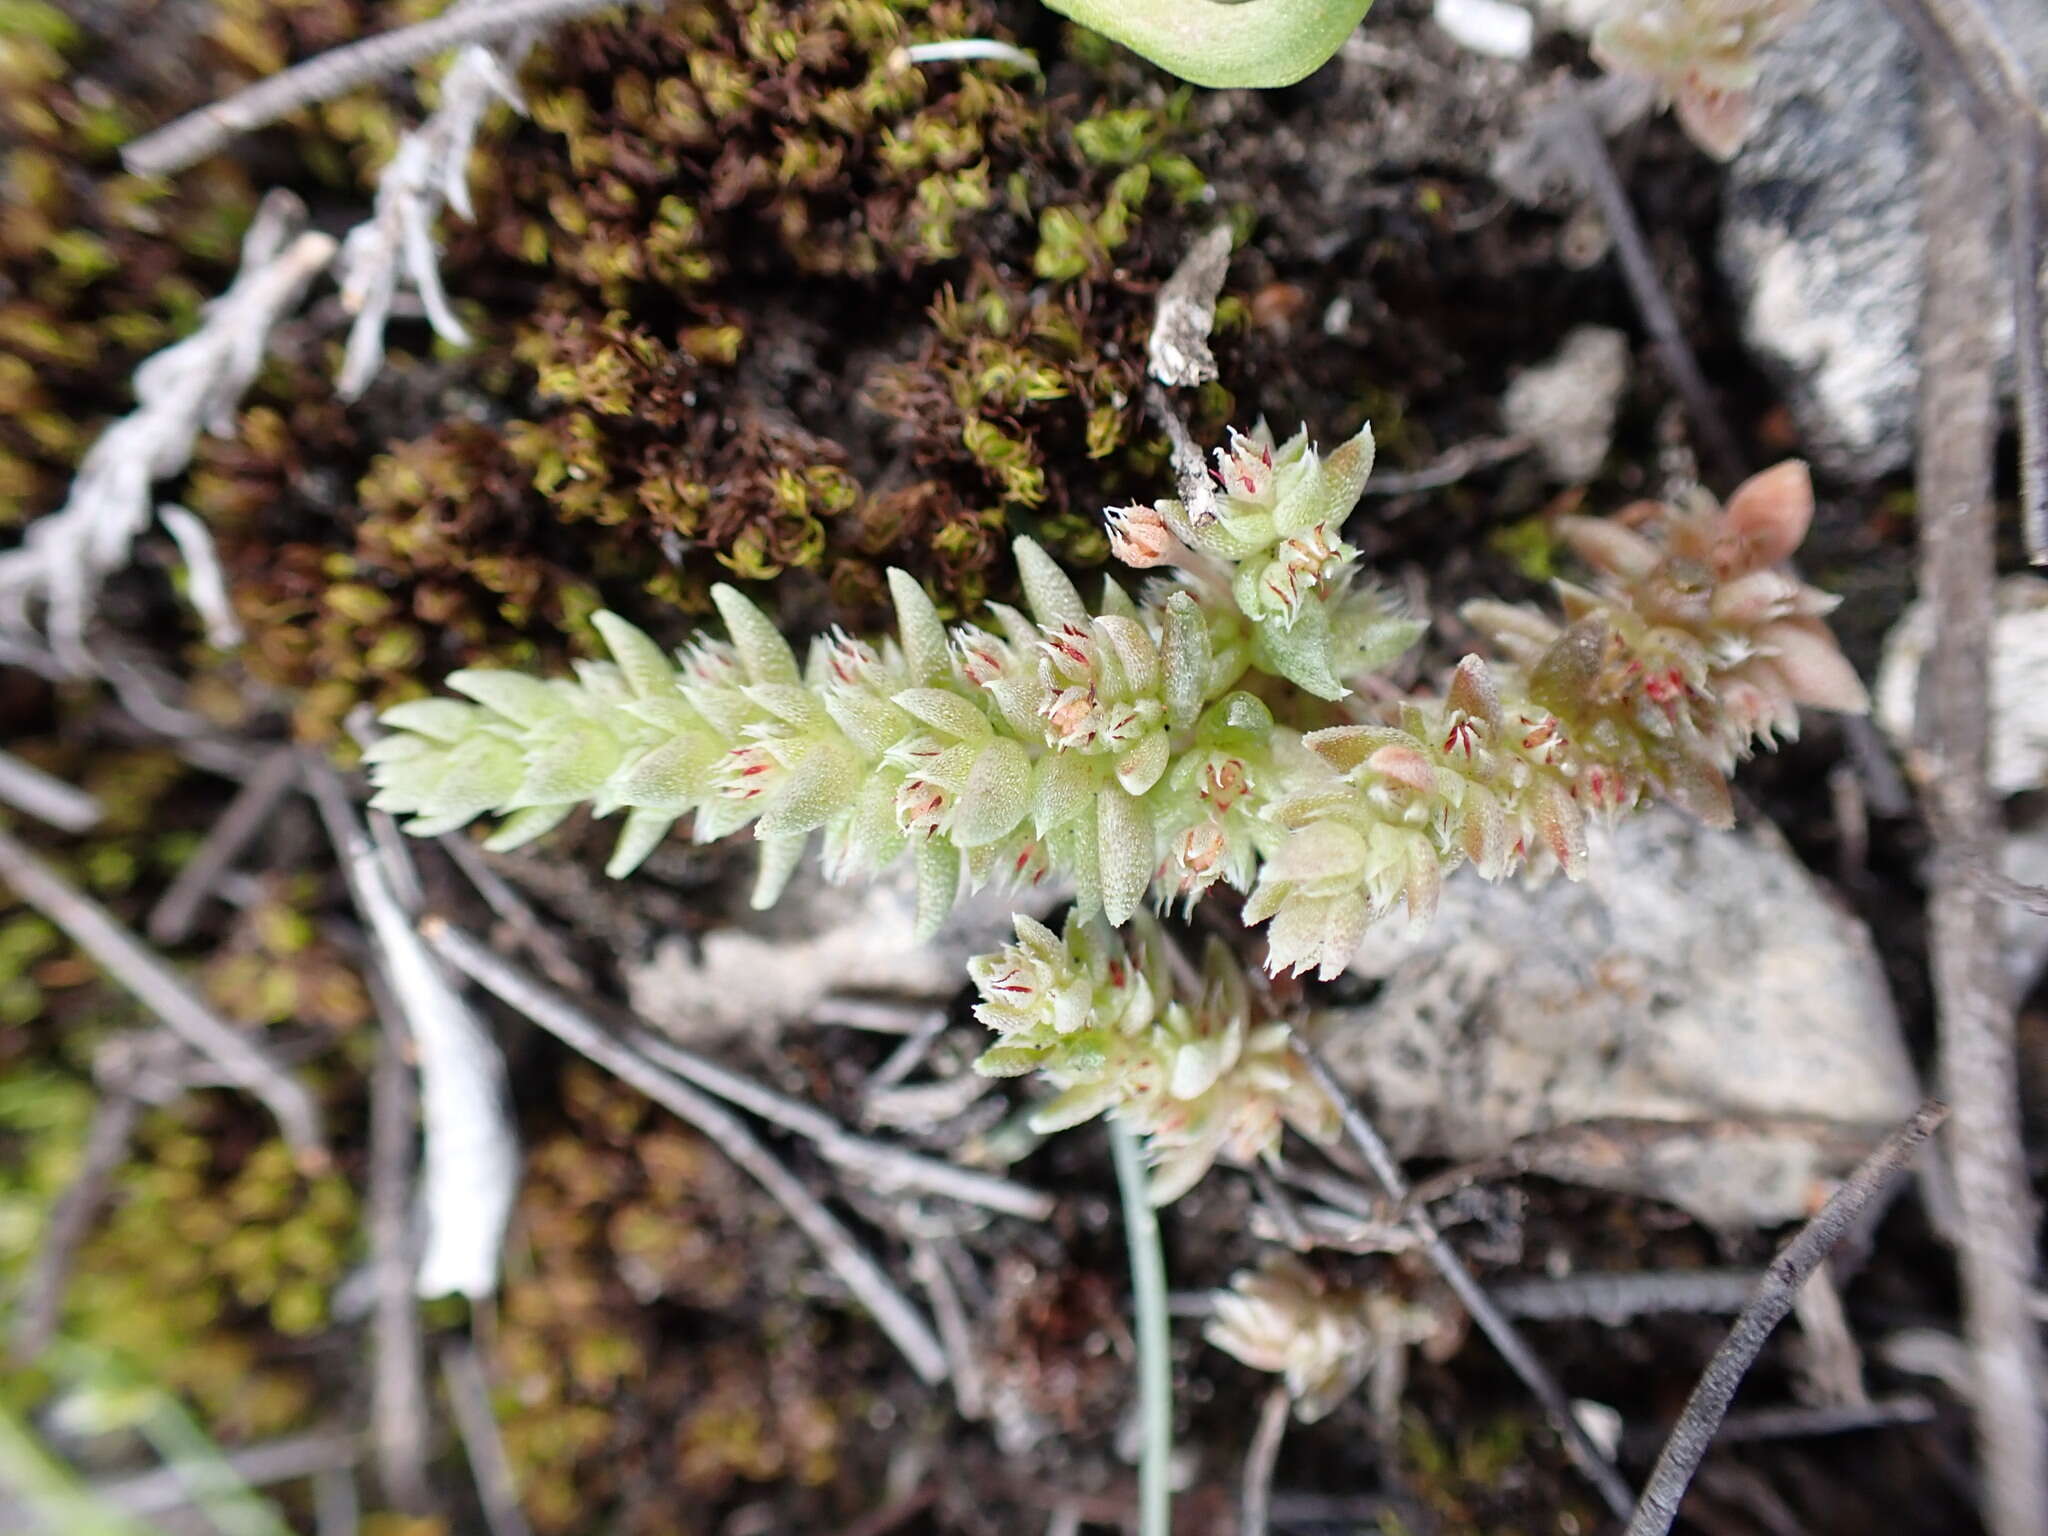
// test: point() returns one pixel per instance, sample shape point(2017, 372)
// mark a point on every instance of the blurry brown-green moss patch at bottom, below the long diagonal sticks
point(638, 1324)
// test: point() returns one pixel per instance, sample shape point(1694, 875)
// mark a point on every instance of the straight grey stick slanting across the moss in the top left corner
point(196, 136)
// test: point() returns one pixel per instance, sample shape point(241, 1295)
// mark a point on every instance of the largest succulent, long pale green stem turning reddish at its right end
point(1136, 749)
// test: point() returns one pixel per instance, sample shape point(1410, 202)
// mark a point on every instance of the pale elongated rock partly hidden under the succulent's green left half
point(771, 970)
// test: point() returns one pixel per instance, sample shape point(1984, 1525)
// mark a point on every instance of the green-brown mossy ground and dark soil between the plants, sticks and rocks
point(753, 302)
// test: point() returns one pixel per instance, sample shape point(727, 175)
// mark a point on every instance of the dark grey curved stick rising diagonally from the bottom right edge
point(1766, 1310)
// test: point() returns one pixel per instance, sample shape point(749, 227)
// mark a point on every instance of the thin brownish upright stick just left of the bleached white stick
point(398, 1351)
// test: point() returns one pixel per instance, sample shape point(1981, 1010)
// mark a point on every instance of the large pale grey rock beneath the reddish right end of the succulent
point(1695, 1023)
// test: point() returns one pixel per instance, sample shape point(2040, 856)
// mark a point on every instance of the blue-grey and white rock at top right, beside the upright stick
point(1822, 226)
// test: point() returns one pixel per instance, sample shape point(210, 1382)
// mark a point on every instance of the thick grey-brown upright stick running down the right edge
point(1973, 1007)
